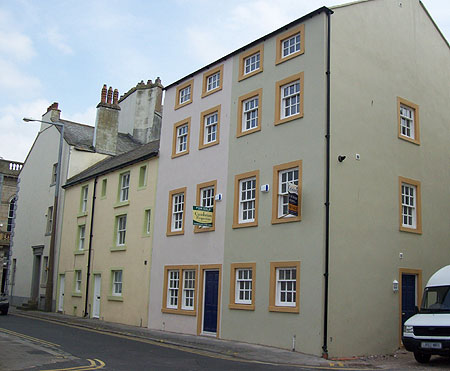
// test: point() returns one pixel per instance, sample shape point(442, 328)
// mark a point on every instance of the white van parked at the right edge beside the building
point(428, 332)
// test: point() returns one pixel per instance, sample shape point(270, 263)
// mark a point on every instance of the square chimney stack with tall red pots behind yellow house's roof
point(107, 122)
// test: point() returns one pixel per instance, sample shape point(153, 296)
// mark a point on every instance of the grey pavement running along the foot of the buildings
point(233, 349)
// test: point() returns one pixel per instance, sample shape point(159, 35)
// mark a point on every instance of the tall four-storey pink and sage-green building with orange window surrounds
point(345, 105)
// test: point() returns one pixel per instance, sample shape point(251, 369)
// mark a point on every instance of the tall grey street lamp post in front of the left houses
point(51, 253)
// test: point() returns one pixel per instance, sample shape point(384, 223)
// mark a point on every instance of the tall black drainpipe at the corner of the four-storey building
point(327, 202)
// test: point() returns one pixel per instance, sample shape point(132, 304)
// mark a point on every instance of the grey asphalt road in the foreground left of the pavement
point(32, 344)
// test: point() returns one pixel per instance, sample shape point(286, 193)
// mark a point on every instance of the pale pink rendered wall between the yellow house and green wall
point(198, 166)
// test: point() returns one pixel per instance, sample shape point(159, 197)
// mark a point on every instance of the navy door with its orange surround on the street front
point(209, 300)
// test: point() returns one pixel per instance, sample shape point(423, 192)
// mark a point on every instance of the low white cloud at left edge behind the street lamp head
point(17, 136)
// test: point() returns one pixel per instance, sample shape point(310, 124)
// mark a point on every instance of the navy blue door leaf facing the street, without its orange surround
point(211, 301)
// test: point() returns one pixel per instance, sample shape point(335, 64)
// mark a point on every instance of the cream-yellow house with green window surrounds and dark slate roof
point(105, 259)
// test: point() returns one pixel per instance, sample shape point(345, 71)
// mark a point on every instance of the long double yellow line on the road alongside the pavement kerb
point(162, 343)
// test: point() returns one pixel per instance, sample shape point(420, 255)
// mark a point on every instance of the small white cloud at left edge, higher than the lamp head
point(14, 81)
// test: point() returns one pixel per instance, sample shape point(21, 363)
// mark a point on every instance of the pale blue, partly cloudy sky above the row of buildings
point(64, 51)
